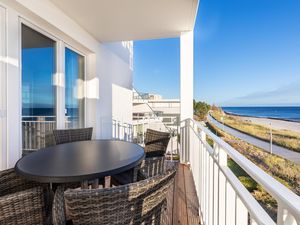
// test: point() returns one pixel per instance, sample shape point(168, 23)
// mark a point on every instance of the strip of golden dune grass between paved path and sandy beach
point(285, 138)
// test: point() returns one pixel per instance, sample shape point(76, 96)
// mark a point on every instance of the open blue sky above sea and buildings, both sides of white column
point(247, 53)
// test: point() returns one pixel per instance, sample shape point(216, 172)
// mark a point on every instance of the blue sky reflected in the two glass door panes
point(38, 68)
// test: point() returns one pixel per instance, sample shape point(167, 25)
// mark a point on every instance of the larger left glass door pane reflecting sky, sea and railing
point(38, 91)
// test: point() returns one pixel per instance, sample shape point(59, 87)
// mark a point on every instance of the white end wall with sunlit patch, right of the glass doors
point(115, 89)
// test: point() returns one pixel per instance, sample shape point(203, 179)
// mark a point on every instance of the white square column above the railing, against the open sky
point(186, 74)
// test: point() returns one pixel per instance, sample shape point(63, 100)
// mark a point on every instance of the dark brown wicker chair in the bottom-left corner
point(23, 202)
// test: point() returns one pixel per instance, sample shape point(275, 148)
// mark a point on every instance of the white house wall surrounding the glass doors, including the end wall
point(108, 65)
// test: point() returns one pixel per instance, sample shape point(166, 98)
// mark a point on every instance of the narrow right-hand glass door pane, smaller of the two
point(74, 92)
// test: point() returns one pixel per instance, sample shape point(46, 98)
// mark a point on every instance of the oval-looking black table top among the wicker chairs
point(78, 161)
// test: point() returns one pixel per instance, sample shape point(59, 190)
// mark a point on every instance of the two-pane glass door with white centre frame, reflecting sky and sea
point(43, 89)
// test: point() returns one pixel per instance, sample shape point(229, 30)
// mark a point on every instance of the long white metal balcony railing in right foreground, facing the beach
point(222, 198)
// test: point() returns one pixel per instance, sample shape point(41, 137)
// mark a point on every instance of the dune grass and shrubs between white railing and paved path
point(284, 171)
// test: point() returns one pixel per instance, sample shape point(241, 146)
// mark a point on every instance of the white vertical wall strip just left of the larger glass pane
point(14, 85)
